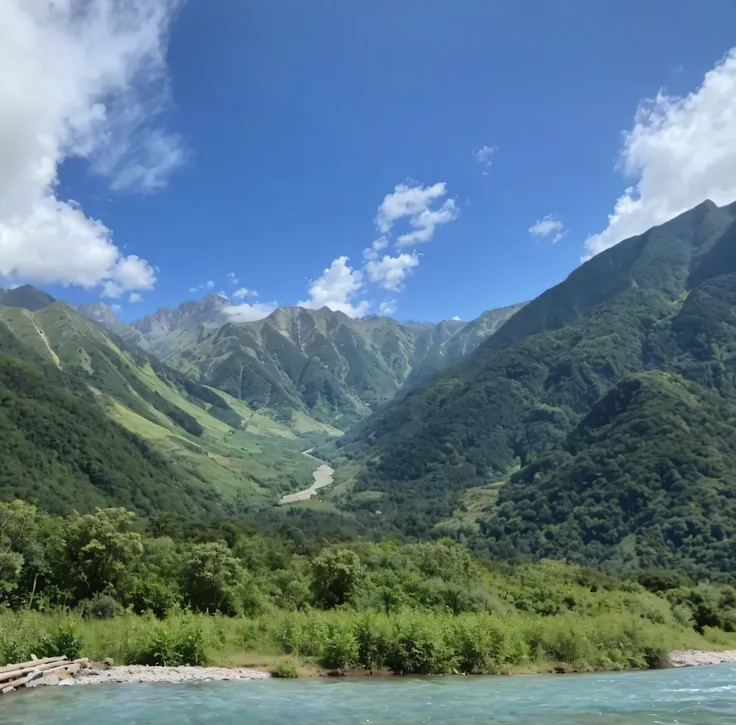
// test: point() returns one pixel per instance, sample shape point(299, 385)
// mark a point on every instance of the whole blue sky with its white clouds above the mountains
point(421, 159)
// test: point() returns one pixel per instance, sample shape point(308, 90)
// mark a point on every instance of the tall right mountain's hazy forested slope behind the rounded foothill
point(661, 301)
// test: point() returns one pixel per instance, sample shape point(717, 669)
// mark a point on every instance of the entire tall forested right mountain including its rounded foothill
point(563, 422)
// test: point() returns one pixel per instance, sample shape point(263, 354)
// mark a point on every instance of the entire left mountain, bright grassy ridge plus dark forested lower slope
point(73, 389)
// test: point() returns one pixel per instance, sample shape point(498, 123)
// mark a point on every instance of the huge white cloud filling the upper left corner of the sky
point(80, 80)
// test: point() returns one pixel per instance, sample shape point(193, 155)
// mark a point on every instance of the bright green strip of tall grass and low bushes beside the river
point(407, 643)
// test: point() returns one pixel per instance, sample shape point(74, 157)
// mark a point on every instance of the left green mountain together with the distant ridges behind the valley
point(93, 417)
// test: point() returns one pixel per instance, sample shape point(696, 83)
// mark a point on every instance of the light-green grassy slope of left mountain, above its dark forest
point(231, 457)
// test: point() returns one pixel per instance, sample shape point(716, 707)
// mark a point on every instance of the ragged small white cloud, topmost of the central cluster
point(414, 202)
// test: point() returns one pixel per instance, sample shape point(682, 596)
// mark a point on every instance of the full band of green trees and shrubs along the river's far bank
point(411, 608)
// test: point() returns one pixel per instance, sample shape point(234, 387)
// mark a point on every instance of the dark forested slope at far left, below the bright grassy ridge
point(59, 449)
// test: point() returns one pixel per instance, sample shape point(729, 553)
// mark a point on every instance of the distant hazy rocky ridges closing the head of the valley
point(321, 362)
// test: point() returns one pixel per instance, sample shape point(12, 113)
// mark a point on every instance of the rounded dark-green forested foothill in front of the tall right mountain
point(645, 480)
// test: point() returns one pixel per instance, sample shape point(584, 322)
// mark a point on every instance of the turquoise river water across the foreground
point(695, 696)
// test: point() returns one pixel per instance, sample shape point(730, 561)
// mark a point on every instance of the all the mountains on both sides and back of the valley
point(596, 423)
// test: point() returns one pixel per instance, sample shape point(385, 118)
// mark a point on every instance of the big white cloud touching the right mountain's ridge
point(679, 152)
